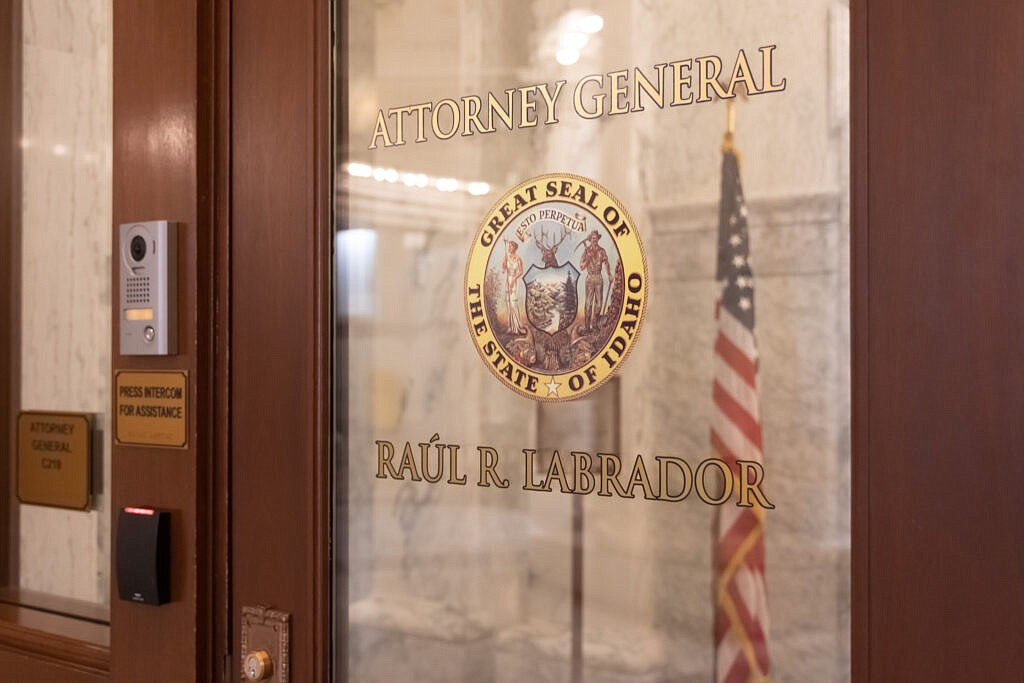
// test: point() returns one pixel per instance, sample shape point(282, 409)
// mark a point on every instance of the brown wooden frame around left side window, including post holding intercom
point(170, 144)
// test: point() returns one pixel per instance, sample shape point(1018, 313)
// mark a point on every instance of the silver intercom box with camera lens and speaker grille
point(149, 289)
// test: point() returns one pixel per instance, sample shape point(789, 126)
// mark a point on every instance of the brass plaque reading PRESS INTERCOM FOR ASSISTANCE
point(152, 408)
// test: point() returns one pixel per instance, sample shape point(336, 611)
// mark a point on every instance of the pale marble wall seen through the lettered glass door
point(472, 584)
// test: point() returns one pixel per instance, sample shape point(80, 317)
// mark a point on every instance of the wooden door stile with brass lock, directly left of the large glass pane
point(281, 320)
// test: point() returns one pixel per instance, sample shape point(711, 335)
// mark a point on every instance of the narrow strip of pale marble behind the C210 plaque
point(66, 273)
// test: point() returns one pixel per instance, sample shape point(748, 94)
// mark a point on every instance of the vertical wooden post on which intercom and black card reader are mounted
point(167, 154)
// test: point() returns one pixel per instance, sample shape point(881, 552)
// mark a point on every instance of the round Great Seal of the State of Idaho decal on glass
point(557, 287)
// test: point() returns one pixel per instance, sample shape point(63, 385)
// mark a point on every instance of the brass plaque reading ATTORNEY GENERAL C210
point(55, 459)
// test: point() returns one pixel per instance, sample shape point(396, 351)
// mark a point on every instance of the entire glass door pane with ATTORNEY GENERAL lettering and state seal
point(593, 343)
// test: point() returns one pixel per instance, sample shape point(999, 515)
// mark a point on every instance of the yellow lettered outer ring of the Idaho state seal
point(477, 248)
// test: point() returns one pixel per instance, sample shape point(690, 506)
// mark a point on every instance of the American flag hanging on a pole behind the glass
point(741, 605)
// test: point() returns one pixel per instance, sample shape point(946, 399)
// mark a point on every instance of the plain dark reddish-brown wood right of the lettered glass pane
point(941, 249)
